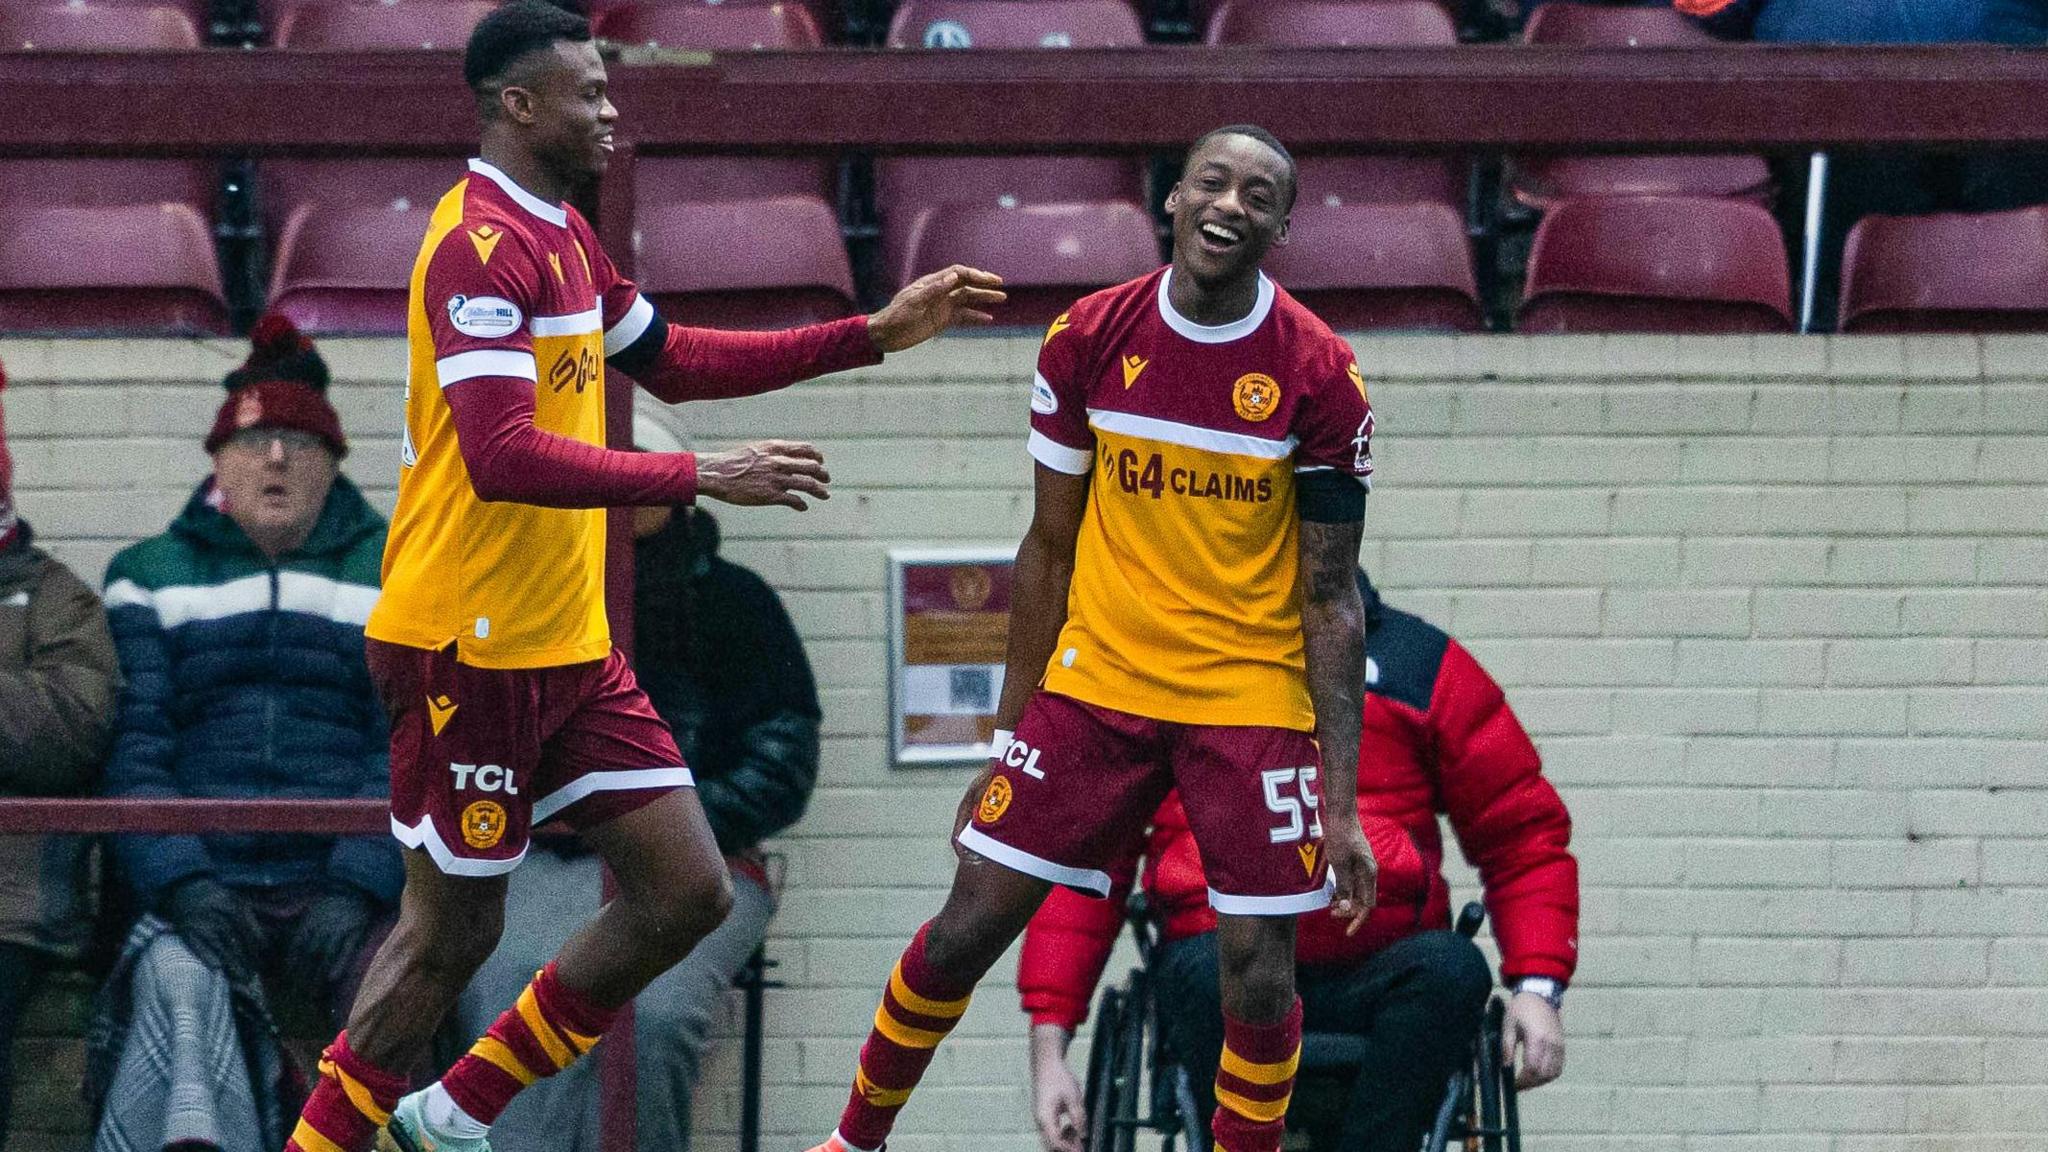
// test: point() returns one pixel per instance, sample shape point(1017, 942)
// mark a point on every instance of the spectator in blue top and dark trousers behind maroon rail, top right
point(1893, 183)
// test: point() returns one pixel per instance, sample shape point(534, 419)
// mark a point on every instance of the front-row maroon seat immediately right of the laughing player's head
point(1381, 268)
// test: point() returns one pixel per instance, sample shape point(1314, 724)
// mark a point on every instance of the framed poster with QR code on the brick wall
point(949, 622)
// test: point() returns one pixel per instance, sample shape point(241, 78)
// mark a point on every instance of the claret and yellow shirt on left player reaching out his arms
point(507, 286)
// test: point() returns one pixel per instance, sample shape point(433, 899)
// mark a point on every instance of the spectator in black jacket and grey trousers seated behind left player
point(724, 667)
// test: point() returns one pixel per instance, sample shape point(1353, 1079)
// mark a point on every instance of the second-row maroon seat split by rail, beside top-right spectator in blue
point(1549, 181)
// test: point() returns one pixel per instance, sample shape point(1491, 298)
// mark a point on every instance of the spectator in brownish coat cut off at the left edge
point(56, 706)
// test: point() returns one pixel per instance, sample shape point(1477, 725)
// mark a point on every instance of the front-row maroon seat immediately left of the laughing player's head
point(1050, 255)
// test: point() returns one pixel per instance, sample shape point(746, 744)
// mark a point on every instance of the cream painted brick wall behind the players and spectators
point(1777, 612)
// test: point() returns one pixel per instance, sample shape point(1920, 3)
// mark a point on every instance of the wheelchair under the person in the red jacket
point(1138, 1085)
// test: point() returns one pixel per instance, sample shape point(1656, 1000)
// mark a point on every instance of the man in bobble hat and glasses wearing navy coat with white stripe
point(241, 634)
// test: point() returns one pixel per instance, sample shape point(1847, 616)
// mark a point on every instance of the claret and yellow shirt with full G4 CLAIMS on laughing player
point(1185, 602)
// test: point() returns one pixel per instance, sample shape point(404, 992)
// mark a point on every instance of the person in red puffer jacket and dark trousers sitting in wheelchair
point(1439, 739)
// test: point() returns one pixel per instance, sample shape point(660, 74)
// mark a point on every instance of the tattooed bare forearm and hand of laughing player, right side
point(1334, 639)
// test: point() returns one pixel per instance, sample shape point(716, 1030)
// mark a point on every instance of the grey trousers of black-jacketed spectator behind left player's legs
point(548, 903)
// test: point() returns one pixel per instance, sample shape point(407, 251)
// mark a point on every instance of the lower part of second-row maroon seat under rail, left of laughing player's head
point(914, 190)
